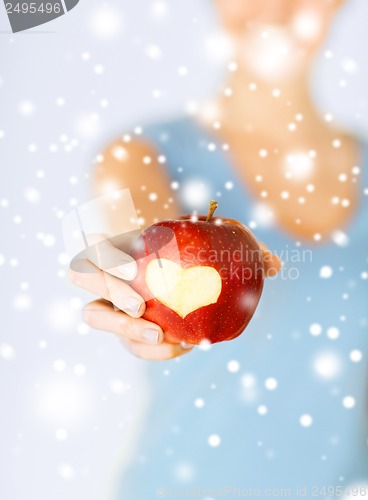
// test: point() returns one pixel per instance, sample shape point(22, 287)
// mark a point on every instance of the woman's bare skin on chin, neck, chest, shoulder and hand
point(249, 120)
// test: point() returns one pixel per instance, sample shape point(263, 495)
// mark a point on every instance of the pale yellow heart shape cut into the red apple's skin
point(183, 290)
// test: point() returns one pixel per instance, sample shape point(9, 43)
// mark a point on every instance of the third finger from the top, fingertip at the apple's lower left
point(101, 316)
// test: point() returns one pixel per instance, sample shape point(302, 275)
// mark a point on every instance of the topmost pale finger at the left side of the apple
point(110, 259)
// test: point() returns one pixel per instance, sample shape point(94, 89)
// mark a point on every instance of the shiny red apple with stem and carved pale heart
point(201, 276)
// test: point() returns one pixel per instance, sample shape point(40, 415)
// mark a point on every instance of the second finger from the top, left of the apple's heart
point(110, 288)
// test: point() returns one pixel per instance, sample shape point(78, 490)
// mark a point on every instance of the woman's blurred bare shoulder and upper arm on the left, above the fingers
point(137, 160)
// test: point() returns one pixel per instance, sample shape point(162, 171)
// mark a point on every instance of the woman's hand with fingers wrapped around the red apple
point(120, 309)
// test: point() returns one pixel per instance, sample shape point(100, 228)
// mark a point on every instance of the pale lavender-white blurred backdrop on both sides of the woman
point(72, 398)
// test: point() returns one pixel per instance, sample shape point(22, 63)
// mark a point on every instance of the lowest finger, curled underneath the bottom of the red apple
point(161, 352)
